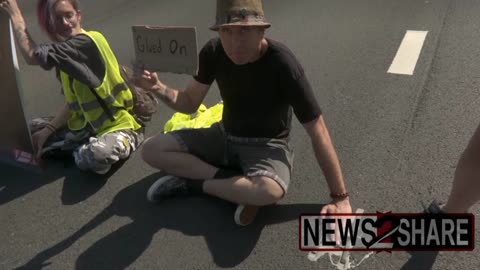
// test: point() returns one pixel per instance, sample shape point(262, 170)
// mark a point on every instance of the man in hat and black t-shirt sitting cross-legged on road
point(246, 158)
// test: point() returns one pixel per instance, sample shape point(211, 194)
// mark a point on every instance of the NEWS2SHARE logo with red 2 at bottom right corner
point(387, 232)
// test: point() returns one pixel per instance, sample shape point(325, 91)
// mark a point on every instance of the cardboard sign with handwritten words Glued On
point(166, 49)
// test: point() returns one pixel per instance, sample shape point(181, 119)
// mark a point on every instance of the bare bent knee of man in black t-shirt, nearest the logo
point(268, 190)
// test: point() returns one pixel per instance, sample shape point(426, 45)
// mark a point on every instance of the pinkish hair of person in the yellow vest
point(46, 18)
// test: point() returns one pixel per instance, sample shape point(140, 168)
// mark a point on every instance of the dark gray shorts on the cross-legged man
point(268, 157)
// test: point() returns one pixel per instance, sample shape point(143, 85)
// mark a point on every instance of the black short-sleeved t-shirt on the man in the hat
point(258, 96)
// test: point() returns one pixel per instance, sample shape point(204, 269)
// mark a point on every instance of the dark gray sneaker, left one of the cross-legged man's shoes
point(166, 187)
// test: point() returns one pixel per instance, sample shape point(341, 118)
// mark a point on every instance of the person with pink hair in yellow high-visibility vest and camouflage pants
point(96, 124)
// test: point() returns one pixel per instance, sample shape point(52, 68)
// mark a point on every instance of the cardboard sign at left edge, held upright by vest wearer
point(15, 134)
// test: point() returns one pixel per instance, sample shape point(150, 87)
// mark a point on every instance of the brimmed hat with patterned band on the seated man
point(240, 12)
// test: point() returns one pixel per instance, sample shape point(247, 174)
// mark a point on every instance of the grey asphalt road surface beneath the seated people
point(399, 138)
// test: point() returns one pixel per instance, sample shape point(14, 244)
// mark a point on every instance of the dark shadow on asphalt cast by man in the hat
point(197, 215)
